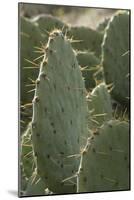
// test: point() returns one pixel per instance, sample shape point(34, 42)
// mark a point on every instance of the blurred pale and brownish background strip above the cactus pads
point(75, 16)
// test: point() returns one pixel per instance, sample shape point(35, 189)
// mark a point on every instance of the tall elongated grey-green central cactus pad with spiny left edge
point(59, 115)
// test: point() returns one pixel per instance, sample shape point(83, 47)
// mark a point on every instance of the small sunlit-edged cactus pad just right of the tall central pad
point(100, 105)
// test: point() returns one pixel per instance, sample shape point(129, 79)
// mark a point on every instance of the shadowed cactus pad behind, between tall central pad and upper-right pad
point(89, 65)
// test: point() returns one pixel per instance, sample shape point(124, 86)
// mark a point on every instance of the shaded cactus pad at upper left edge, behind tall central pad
point(30, 37)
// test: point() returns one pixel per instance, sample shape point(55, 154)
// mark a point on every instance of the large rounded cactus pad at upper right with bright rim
point(116, 56)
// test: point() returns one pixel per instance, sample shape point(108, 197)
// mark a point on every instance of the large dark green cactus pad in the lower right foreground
point(105, 159)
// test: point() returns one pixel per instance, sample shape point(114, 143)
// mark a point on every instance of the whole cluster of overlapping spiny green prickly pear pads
point(72, 140)
